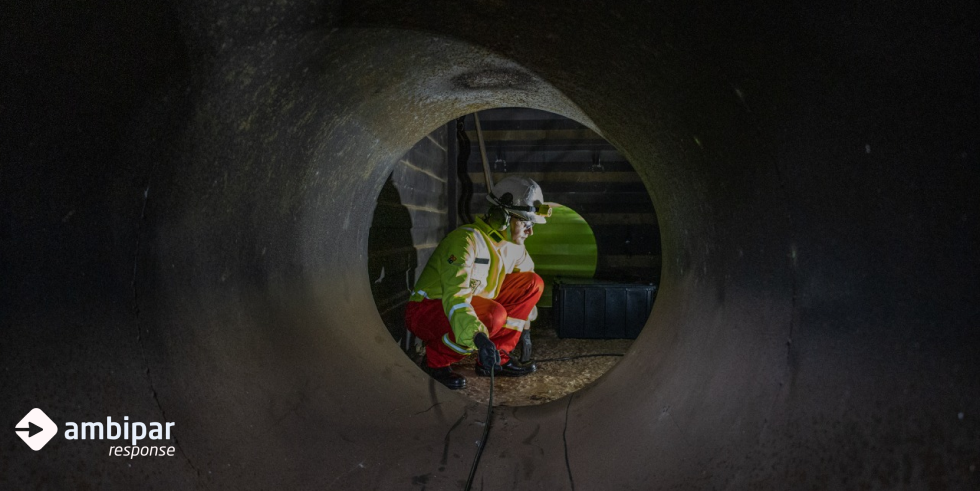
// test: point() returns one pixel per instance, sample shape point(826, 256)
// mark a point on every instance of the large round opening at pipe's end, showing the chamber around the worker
point(440, 184)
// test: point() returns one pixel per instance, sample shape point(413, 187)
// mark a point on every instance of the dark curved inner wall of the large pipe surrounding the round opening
point(187, 196)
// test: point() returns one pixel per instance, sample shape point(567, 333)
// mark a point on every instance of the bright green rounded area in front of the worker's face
point(565, 246)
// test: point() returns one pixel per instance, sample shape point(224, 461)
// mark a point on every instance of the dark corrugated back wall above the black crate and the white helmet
point(577, 168)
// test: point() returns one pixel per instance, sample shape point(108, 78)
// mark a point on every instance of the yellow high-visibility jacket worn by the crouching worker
point(471, 260)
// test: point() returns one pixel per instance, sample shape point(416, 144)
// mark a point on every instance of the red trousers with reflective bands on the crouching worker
point(518, 294)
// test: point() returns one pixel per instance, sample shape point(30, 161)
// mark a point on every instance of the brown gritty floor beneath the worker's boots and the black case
point(553, 379)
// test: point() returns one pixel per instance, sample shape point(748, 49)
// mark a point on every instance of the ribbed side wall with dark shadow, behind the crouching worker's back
point(410, 219)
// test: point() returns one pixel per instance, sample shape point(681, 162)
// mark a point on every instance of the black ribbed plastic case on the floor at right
point(593, 309)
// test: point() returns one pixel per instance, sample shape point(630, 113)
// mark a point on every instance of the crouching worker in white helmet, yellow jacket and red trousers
point(479, 287)
